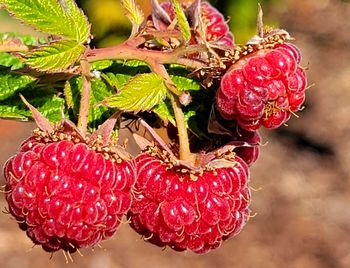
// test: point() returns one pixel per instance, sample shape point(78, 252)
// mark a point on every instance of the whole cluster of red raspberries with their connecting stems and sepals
point(69, 188)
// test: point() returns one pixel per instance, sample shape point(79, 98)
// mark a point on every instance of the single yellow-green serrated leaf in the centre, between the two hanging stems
point(141, 93)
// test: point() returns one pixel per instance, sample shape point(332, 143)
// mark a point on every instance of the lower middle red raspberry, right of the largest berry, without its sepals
point(175, 208)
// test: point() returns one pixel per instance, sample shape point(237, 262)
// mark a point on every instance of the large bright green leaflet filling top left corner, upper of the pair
point(49, 16)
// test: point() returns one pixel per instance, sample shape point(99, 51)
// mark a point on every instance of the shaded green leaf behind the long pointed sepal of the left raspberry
point(45, 100)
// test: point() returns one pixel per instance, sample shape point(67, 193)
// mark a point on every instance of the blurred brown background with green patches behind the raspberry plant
point(302, 205)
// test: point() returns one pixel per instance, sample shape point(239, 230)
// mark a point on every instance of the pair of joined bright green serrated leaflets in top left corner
point(63, 19)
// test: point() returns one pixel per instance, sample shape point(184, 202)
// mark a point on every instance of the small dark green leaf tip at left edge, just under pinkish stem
point(11, 83)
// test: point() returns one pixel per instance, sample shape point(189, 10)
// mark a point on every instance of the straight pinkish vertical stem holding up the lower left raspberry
point(85, 96)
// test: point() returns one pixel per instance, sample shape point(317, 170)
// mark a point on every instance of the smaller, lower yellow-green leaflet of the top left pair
point(55, 57)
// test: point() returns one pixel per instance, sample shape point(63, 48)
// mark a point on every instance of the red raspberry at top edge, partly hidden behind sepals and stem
point(216, 28)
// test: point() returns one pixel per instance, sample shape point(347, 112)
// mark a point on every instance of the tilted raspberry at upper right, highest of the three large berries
point(263, 88)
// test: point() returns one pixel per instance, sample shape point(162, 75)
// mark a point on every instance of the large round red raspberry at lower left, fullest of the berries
point(65, 194)
